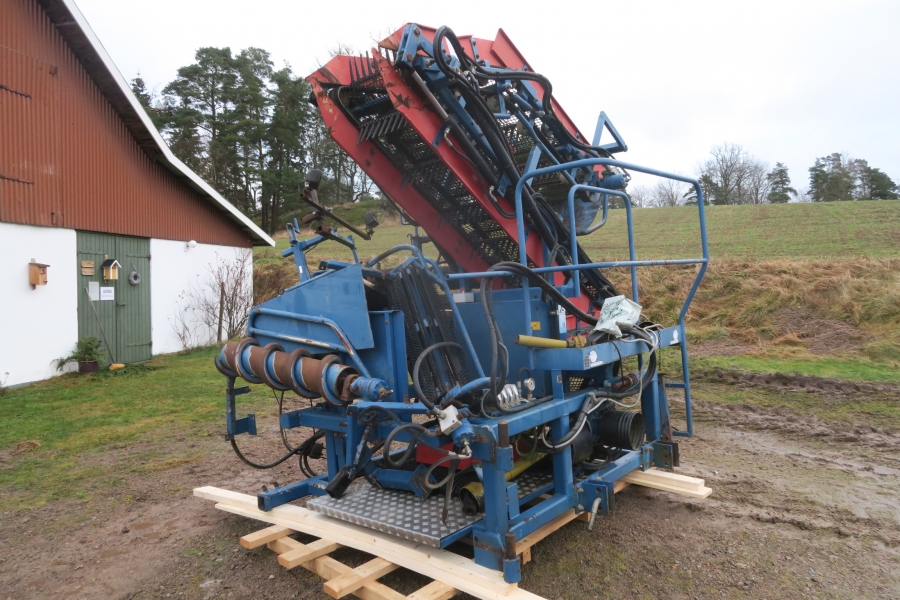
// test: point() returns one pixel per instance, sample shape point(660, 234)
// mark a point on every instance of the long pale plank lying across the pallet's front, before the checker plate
point(457, 571)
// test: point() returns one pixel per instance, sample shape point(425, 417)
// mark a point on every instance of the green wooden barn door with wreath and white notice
point(123, 309)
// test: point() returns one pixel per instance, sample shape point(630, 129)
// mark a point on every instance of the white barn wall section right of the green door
point(173, 271)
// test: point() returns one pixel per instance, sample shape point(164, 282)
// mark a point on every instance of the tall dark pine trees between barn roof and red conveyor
point(250, 131)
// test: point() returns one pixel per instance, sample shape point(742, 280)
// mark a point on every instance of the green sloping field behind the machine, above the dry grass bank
point(834, 230)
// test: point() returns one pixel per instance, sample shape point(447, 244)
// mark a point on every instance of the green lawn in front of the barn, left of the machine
point(53, 434)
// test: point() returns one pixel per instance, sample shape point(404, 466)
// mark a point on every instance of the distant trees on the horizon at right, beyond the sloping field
point(733, 176)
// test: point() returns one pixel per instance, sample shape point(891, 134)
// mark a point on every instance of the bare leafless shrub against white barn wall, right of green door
point(226, 294)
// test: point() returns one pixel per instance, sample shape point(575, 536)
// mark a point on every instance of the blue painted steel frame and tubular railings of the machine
point(507, 518)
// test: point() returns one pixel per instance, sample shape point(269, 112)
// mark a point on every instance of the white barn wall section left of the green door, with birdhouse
point(40, 325)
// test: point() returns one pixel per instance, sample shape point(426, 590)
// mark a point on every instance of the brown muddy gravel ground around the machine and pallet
point(800, 509)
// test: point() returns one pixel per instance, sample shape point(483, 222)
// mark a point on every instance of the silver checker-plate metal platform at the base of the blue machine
point(404, 515)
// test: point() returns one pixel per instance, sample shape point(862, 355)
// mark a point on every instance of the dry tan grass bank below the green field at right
point(745, 297)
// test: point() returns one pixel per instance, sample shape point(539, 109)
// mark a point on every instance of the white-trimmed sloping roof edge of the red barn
point(84, 43)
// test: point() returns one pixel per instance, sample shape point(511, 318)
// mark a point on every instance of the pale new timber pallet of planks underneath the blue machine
point(451, 573)
